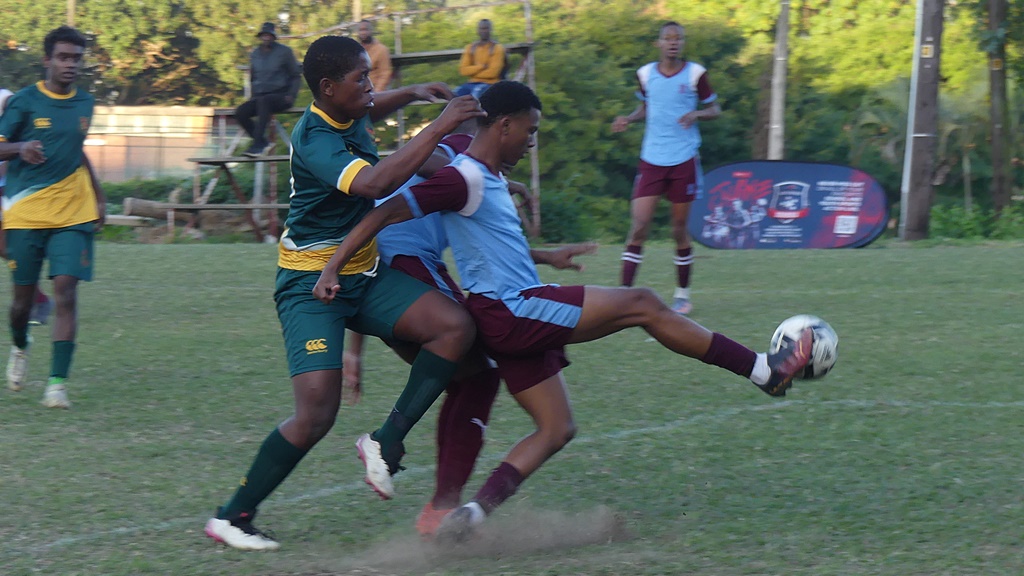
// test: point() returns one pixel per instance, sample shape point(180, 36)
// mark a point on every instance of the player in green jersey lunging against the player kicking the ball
point(336, 177)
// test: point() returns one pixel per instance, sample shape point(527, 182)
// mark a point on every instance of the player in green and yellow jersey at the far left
point(53, 204)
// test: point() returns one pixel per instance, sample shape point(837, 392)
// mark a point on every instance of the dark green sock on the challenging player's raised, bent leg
point(429, 378)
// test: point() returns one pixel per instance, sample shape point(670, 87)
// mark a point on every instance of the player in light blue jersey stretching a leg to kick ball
point(524, 323)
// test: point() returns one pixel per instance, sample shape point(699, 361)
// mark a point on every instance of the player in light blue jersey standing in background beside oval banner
point(675, 95)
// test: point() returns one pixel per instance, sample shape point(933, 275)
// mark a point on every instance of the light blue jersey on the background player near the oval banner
point(666, 143)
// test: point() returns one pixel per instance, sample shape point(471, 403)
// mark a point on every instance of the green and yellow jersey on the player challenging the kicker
point(326, 158)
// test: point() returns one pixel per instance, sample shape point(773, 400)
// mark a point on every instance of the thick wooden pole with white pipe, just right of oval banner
point(922, 126)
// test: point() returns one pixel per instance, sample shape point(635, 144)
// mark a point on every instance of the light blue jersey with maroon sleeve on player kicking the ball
point(483, 226)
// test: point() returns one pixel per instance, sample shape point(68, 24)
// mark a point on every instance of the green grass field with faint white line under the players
point(907, 460)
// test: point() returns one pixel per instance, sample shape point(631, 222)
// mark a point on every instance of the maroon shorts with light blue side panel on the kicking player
point(527, 336)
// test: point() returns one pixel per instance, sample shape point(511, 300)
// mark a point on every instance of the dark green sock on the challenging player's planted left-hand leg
point(276, 460)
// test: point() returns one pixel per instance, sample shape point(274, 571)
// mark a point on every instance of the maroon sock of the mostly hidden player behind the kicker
point(460, 434)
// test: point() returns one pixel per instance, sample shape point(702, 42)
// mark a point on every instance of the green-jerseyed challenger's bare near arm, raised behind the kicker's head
point(383, 179)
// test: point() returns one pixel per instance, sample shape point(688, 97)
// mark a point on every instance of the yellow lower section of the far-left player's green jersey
point(69, 202)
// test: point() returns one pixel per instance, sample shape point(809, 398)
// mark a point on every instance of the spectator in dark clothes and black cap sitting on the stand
point(275, 76)
